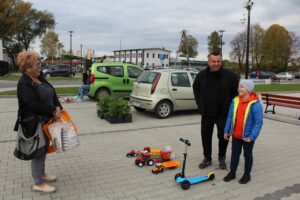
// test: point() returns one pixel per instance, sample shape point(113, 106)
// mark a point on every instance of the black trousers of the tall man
point(207, 127)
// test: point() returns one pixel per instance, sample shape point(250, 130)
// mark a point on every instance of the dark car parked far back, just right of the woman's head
point(59, 70)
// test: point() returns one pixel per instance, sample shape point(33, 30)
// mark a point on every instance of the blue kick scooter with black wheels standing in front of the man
point(187, 182)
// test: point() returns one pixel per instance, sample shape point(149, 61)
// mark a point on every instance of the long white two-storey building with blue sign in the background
point(149, 57)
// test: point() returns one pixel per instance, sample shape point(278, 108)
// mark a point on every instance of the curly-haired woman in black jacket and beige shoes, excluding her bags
point(37, 100)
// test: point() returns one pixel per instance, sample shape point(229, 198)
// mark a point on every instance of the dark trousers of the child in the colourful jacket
point(237, 145)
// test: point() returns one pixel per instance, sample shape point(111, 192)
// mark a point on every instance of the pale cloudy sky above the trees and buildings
point(103, 25)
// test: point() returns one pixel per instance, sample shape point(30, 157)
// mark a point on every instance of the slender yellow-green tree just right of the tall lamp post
point(256, 51)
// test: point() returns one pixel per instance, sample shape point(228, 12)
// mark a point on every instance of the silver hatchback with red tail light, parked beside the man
point(164, 91)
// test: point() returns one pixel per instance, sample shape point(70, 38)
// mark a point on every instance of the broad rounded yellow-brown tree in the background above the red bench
point(277, 48)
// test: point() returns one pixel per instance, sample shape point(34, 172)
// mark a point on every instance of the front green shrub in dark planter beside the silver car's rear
point(118, 111)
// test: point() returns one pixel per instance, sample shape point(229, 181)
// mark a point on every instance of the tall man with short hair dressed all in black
point(214, 88)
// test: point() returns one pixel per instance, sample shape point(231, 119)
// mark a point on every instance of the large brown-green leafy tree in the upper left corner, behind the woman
point(20, 24)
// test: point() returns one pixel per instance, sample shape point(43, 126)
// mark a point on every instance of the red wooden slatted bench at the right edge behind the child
point(280, 100)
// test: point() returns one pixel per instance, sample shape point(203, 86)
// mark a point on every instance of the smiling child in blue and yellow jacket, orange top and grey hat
point(244, 122)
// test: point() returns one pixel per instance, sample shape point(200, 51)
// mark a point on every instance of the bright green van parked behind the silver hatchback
point(113, 78)
